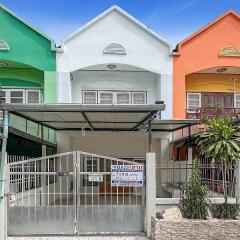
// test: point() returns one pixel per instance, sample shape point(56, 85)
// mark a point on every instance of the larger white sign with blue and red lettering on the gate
point(127, 175)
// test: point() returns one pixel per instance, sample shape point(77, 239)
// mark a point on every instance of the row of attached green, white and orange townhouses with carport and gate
point(114, 95)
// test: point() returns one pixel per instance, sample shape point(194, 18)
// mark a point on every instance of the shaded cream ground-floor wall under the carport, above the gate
point(113, 144)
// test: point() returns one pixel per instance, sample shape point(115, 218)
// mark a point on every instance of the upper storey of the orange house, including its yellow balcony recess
point(206, 70)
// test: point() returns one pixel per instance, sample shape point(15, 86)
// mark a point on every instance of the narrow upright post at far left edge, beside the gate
point(3, 197)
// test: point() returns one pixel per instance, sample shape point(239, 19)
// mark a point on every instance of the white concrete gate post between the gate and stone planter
point(150, 189)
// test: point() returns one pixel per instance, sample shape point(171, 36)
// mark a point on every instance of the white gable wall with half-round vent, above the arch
point(86, 48)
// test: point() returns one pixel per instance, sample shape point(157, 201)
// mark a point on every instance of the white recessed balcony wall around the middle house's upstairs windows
point(115, 80)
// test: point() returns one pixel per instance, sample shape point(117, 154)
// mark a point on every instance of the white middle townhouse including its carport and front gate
point(113, 120)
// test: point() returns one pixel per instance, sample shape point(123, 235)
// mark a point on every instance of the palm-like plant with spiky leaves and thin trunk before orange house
point(221, 142)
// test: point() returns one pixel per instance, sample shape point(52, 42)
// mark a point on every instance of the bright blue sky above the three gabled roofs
point(173, 20)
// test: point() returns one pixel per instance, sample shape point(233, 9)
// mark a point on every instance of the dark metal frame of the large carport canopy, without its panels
point(149, 110)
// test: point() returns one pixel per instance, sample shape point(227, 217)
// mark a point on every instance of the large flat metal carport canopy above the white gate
point(90, 117)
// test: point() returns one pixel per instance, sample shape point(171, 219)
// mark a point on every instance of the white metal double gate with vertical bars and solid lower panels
point(72, 193)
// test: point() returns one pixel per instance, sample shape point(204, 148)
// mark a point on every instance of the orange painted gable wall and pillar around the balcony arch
point(201, 52)
